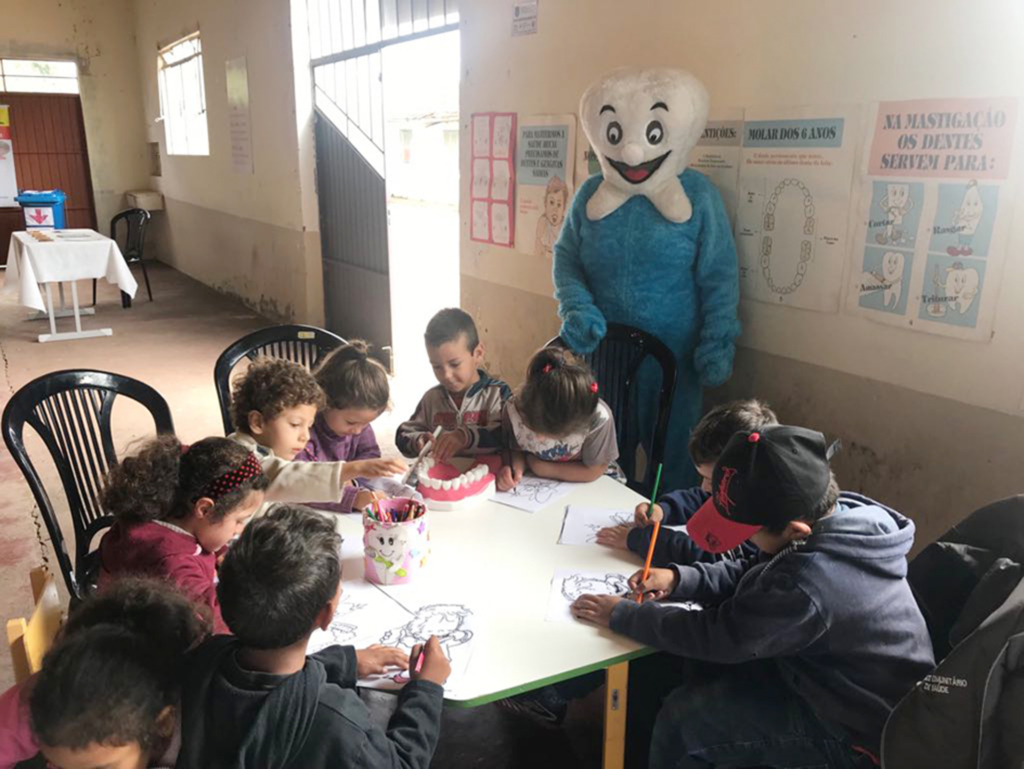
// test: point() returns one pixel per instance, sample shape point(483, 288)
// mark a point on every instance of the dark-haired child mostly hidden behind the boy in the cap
point(676, 508)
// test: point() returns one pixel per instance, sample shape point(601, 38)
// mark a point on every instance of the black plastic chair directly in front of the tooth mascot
point(616, 363)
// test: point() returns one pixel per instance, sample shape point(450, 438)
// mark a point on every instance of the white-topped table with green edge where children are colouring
point(502, 561)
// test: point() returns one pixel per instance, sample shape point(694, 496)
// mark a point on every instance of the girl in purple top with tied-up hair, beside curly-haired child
point(358, 393)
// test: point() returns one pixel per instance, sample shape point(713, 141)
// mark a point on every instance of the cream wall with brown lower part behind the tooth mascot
point(798, 53)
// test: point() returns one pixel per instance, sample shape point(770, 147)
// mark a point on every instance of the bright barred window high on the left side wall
point(183, 97)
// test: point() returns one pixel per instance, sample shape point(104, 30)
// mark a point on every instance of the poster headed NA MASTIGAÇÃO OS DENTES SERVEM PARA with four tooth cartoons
point(933, 216)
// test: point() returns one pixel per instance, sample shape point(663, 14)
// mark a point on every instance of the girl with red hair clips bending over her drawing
point(557, 425)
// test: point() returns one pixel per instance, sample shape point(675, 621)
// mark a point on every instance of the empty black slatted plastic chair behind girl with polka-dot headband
point(71, 412)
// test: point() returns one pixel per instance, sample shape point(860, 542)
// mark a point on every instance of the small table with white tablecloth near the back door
point(71, 255)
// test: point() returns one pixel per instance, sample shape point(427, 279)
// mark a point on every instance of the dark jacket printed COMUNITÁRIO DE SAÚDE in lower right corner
point(969, 711)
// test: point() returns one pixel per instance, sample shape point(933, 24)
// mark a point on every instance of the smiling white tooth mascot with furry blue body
point(648, 243)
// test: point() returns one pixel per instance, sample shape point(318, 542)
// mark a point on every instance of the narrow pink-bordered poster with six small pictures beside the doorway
point(493, 185)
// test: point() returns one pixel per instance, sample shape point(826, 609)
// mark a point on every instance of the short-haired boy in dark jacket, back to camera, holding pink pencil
point(257, 700)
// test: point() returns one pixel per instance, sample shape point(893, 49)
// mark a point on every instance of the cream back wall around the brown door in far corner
point(101, 37)
